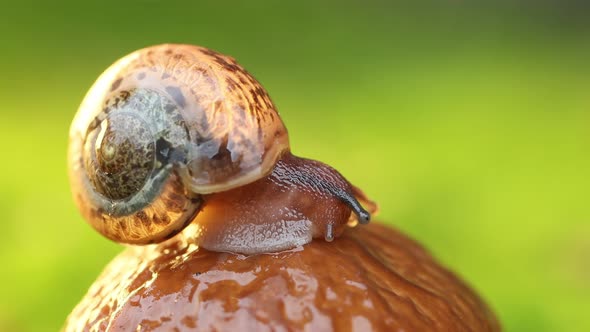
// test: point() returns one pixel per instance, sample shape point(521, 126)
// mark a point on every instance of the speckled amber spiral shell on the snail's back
point(162, 131)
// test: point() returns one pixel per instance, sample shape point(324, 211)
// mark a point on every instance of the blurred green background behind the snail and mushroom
point(469, 122)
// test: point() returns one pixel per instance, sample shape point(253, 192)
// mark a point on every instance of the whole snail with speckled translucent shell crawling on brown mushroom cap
point(172, 135)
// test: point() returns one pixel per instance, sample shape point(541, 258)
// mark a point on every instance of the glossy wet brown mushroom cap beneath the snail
point(371, 278)
